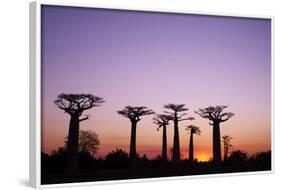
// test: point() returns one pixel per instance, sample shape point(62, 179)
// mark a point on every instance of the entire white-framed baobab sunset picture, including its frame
point(129, 95)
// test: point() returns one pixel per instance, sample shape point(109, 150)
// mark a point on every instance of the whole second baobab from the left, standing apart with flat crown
point(134, 113)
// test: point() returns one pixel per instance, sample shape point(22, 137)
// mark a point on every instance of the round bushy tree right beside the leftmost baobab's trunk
point(88, 142)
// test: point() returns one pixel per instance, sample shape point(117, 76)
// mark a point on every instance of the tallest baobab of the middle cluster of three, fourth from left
point(177, 117)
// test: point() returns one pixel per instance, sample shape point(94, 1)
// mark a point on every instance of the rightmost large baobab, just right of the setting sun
point(216, 116)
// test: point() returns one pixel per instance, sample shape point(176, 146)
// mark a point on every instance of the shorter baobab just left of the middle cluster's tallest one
point(162, 120)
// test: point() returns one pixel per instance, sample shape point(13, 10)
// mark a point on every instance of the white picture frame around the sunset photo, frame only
point(35, 90)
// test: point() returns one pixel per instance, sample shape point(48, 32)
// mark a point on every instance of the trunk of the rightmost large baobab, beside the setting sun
point(216, 144)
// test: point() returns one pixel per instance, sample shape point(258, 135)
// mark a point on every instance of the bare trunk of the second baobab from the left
point(133, 153)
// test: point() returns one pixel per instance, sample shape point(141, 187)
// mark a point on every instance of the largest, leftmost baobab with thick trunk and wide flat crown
point(75, 105)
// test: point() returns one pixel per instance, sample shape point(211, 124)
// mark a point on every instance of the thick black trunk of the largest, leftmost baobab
point(72, 145)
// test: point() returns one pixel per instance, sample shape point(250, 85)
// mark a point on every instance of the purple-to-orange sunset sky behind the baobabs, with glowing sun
point(150, 59)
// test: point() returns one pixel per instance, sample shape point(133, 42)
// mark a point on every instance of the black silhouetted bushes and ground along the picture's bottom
point(116, 166)
